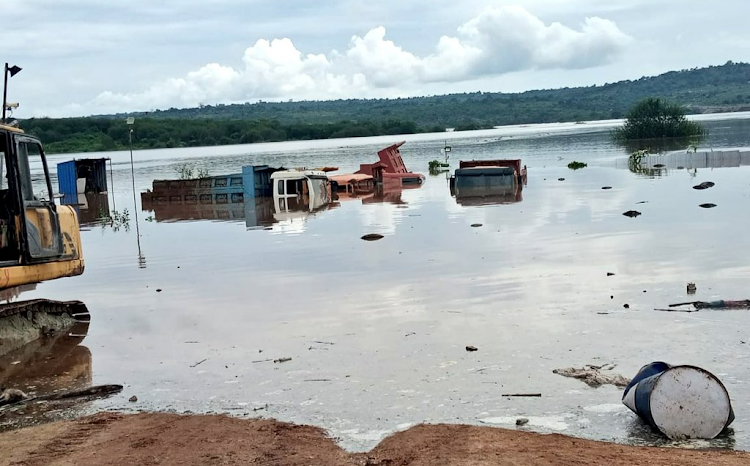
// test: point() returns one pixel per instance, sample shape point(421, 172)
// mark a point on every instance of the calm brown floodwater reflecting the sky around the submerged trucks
point(376, 331)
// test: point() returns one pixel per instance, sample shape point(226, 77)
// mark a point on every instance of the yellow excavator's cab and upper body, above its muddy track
point(39, 240)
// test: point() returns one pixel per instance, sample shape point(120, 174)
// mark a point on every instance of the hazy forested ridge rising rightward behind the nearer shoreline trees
point(702, 90)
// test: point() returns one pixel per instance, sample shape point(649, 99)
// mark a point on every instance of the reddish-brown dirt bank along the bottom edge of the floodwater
point(166, 439)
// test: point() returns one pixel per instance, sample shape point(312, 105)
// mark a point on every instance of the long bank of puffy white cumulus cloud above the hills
point(499, 40)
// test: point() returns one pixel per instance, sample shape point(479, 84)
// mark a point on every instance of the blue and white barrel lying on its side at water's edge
point(681, 402)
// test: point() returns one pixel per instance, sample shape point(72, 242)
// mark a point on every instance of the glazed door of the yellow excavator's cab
point(41, 226)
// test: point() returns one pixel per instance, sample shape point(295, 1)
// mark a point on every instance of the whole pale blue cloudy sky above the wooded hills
point(84, 57)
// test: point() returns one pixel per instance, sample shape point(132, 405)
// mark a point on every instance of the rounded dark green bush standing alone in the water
point(655, 118)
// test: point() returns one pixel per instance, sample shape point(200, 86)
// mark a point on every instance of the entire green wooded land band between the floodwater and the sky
point(716, 88)
